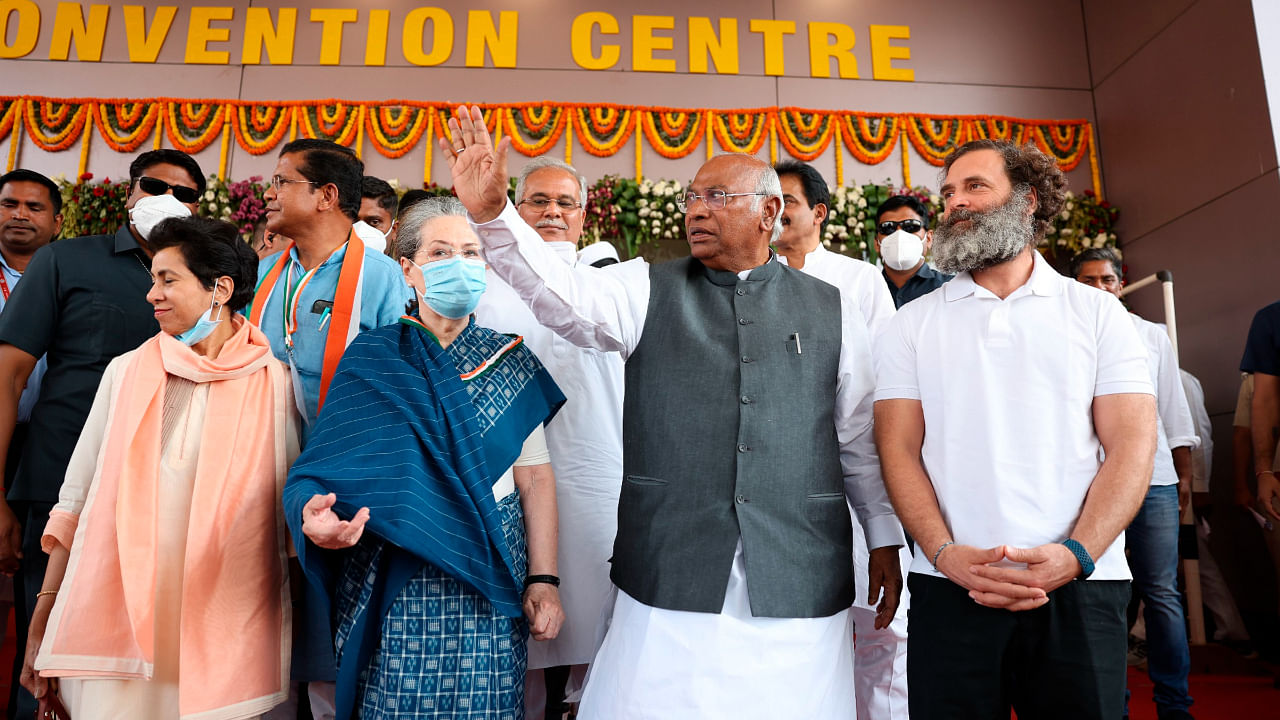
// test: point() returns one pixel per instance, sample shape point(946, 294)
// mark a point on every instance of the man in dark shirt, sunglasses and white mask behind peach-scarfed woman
point(83, 302)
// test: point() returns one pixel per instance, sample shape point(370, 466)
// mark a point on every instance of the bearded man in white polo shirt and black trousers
point(996, 402)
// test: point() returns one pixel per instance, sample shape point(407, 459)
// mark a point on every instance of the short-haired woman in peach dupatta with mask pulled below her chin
point(167, 594)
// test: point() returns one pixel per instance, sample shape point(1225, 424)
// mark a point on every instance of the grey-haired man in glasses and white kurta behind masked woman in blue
point(586, 440)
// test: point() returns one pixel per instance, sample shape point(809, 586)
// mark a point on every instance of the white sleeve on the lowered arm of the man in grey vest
point(865, 486)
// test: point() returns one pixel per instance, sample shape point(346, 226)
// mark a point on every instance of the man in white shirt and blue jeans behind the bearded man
point(1153, 537)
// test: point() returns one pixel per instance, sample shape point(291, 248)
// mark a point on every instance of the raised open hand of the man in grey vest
point(479, 168)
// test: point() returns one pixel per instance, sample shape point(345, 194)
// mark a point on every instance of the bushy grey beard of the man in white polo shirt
point(993, 238)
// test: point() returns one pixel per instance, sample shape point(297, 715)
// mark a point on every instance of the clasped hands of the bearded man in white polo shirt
point(1049, 567)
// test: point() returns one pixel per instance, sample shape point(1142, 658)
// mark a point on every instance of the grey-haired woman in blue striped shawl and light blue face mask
point(432, 440)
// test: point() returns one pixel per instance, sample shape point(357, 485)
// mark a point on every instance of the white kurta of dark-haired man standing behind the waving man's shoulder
point(880, 657)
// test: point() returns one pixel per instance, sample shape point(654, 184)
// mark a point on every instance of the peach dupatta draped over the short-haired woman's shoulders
point(236, 618)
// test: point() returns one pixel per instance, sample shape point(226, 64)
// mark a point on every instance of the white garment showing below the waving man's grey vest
point(669, 666)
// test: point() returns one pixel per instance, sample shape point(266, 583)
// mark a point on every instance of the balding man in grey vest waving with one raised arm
point(734, 589)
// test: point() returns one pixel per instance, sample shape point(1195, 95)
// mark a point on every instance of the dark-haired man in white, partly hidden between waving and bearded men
point(880, 651)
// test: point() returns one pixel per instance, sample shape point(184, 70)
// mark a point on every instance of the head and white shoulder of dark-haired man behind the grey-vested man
point(806, 206)
